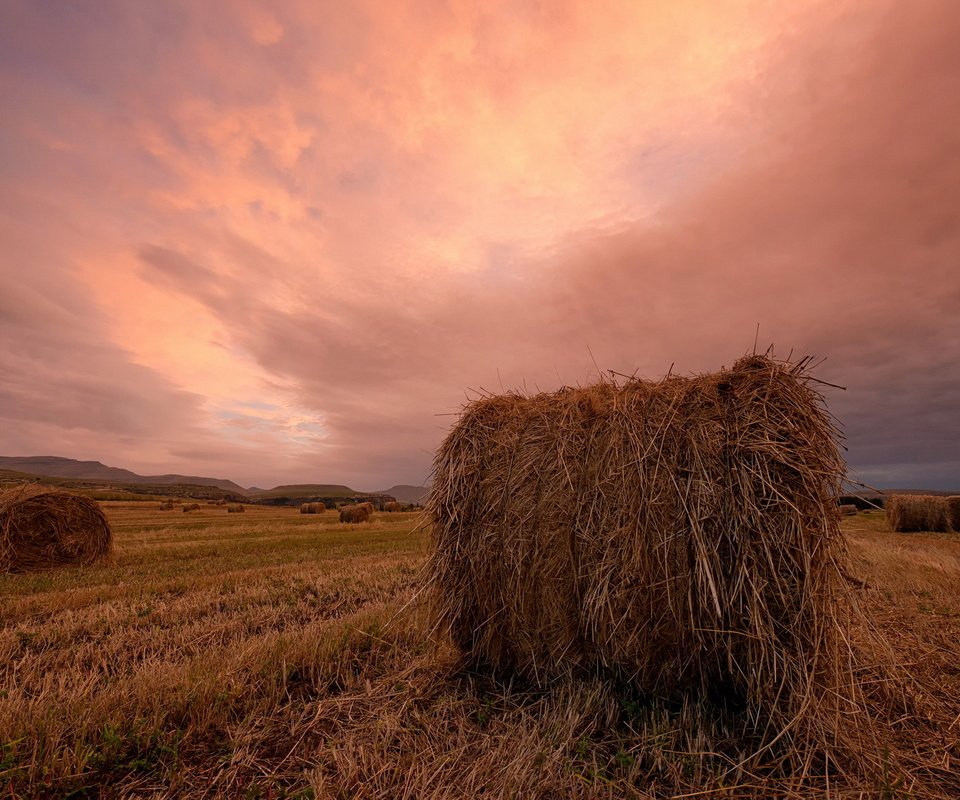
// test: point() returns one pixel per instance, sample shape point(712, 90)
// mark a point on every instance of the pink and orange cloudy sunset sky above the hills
point(282, 242)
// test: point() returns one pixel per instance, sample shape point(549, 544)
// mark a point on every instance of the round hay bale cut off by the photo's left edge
point(42, 528)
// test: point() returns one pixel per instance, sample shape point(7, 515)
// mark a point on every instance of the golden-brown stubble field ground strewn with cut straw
point(274, 654)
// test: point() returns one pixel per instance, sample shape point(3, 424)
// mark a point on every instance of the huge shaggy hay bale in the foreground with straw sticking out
point(681, 533)
